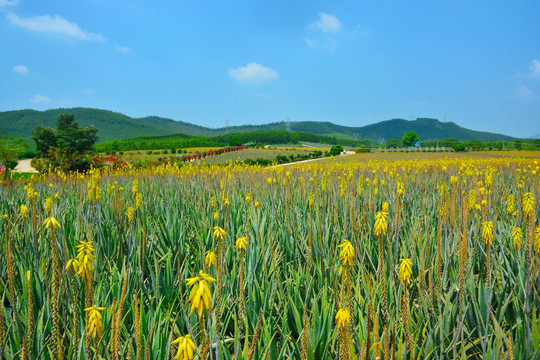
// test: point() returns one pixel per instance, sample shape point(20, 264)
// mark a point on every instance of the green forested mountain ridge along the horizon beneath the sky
point(117, 126)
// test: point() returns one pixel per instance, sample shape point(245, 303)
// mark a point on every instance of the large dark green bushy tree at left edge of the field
point(68, 145)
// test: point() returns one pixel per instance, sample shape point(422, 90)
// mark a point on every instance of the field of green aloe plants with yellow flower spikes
point(368, 256)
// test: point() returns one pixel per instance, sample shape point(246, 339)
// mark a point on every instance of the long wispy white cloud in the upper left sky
point(54, 25)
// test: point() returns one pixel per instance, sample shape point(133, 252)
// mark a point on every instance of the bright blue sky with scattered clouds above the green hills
point(476, 63)
